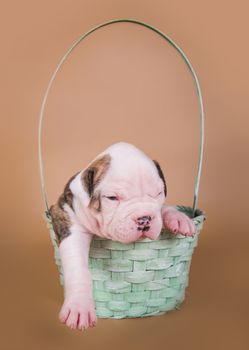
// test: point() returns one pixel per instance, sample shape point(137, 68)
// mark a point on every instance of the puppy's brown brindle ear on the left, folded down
point(95, 173)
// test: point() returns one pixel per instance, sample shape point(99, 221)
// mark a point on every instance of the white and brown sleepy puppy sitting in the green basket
point(119, 196)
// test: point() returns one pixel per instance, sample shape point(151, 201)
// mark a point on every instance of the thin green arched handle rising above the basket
point(76, 43)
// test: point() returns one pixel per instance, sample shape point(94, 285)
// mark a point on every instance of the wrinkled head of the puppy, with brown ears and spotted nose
point(126, 192)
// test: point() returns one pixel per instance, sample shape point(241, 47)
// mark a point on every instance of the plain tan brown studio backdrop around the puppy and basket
point(126, 83)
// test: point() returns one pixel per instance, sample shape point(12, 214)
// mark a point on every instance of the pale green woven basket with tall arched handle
point(146, 277)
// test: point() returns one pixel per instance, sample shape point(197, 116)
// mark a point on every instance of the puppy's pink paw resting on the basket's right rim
point(177, 222)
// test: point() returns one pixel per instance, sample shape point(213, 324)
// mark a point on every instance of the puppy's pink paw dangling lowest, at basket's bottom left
point(78, 312)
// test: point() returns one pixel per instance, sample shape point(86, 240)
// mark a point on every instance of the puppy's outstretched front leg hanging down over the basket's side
point(78, 310)
